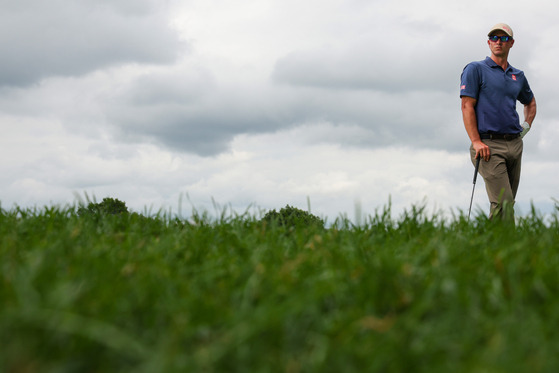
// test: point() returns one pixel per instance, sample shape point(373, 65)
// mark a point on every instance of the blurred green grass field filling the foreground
point(412, 293)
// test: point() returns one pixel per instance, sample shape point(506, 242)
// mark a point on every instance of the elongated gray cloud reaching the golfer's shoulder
point(394, 63)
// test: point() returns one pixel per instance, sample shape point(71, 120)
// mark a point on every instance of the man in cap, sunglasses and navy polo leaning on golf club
point(489, 90)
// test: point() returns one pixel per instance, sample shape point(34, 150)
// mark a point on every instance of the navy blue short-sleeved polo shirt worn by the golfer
point(496, 92)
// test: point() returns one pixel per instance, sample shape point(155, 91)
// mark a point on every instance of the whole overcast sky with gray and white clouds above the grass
point(344, 106)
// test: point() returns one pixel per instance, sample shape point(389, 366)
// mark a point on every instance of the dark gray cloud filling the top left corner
point(40, 39)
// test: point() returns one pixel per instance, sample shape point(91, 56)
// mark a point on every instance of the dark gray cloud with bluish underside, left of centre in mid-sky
point(188, 110)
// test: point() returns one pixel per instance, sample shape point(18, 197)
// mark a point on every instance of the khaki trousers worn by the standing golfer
point(501, 174)
